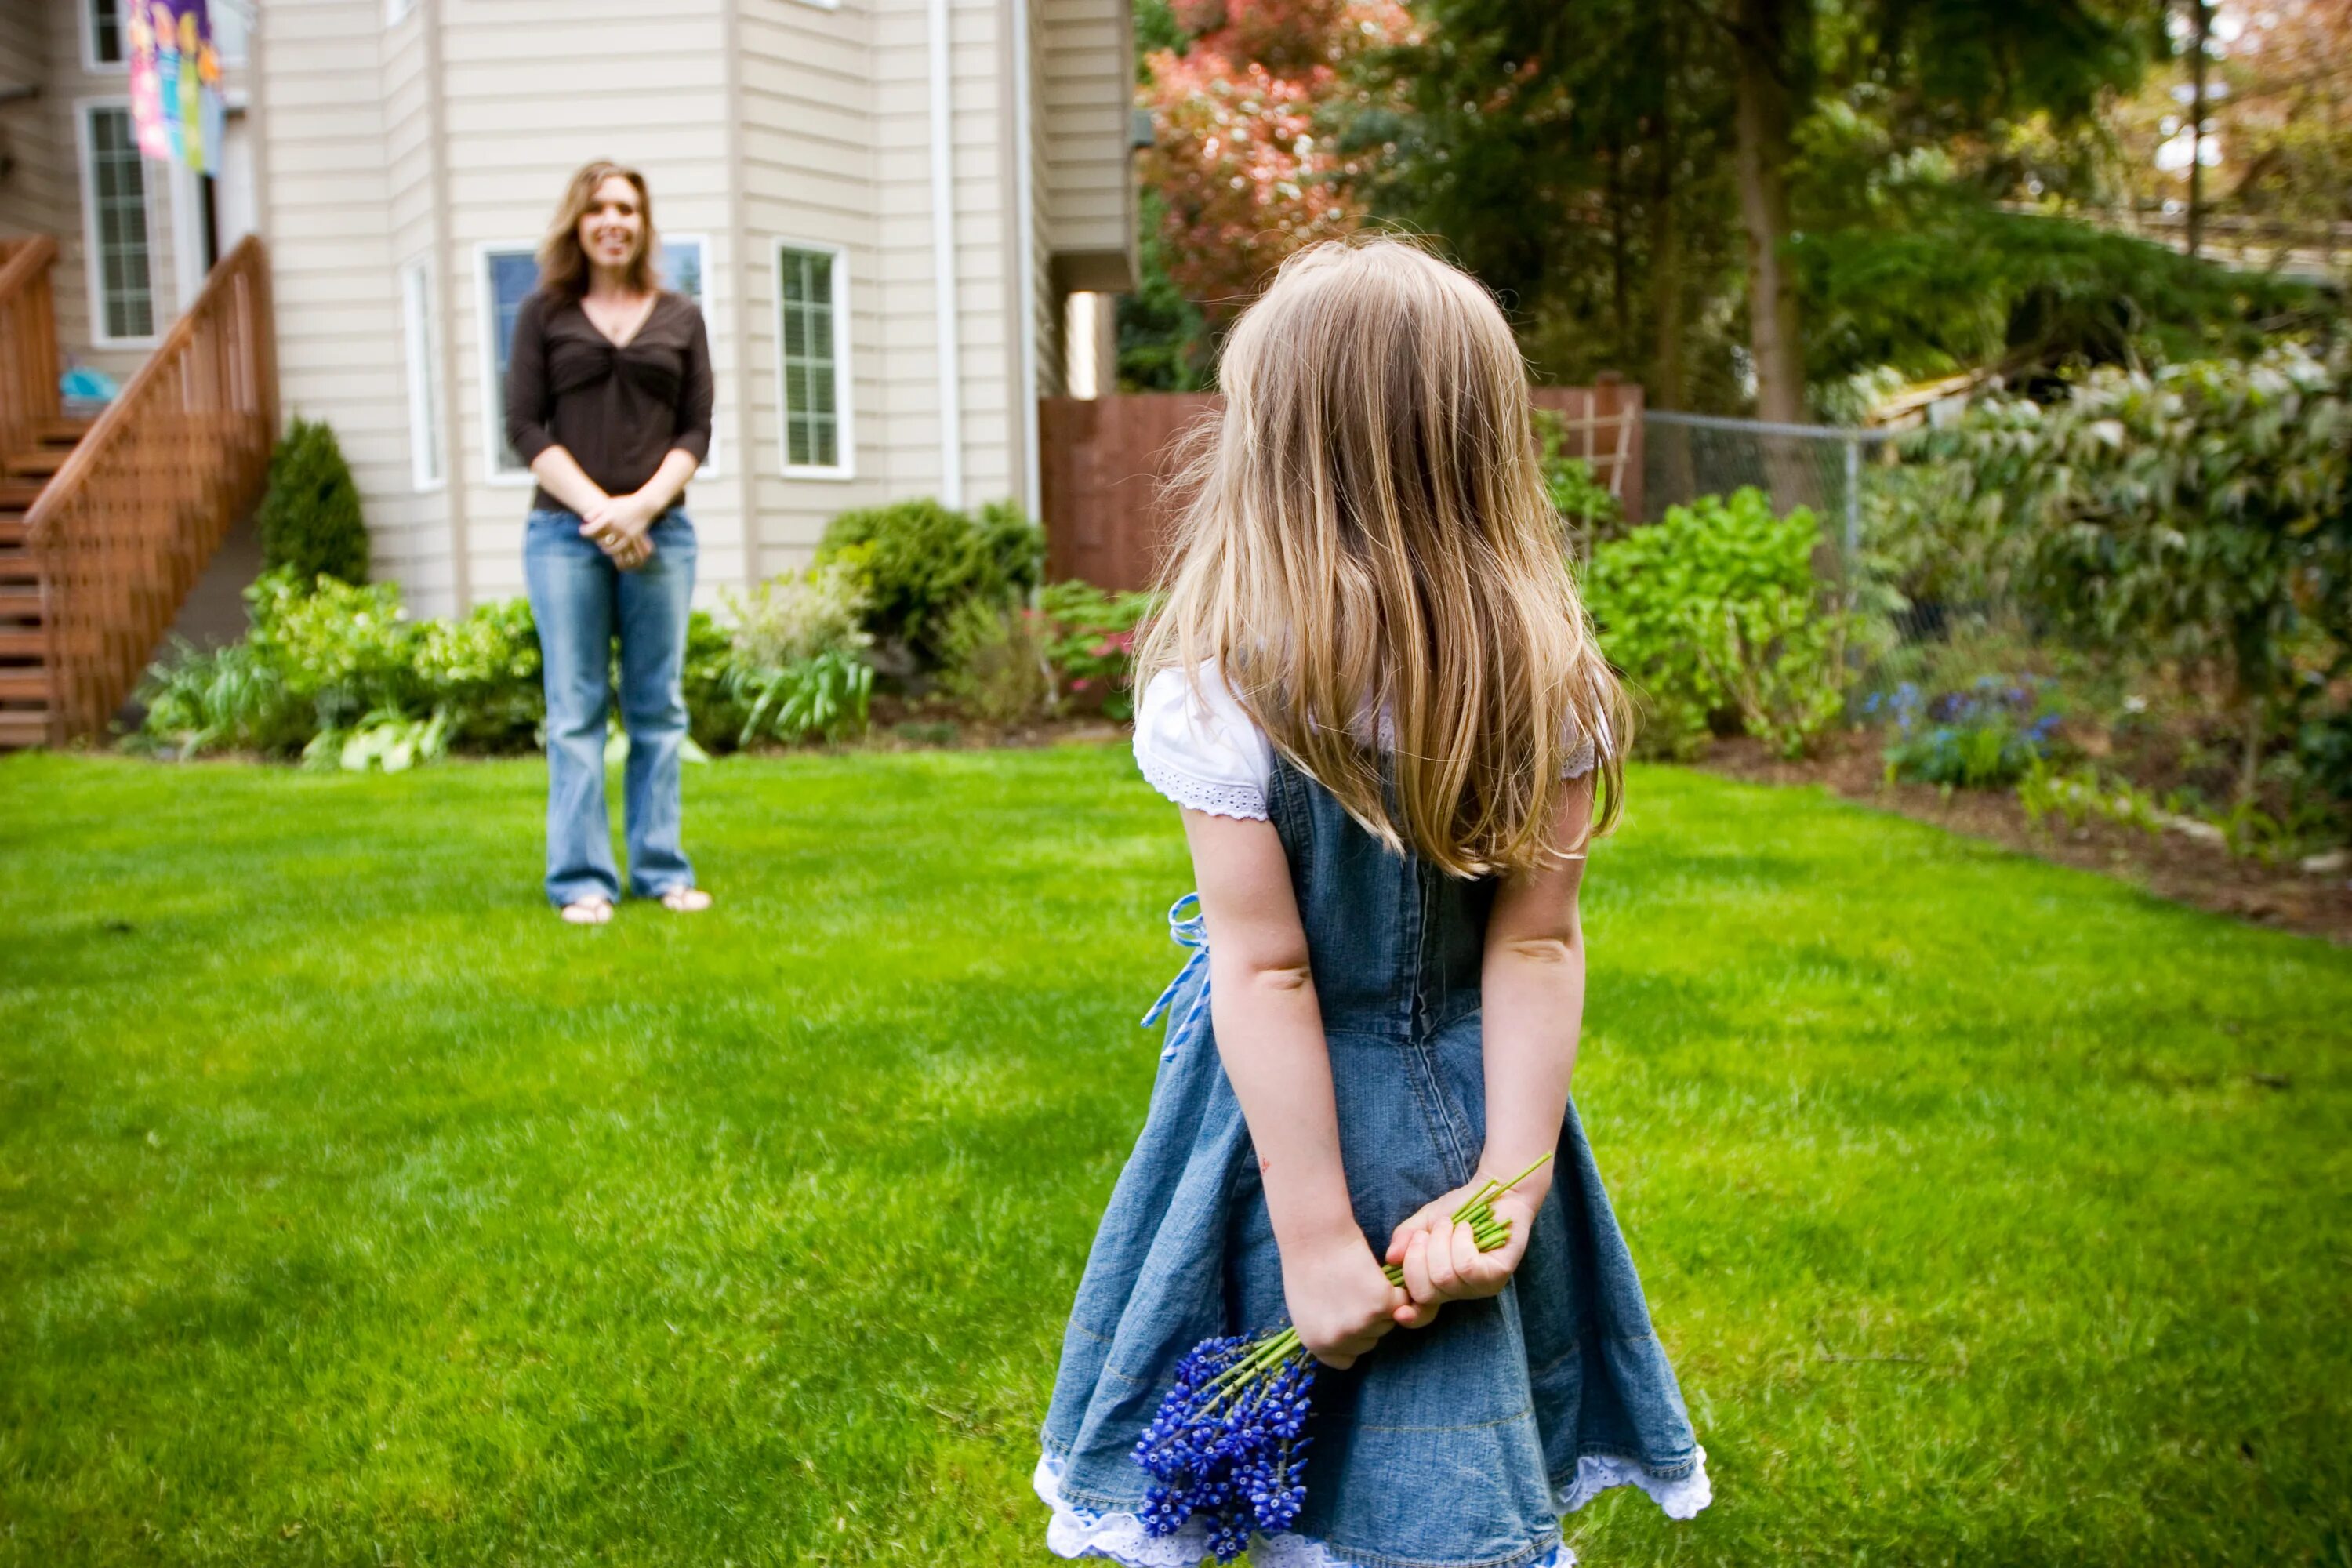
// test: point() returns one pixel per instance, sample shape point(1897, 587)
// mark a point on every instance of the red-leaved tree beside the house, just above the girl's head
point(1243, 159)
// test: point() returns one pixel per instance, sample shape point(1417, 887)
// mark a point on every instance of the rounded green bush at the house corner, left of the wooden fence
point(921, 561)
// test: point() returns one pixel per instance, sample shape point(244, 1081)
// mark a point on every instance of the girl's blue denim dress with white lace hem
point(1450, 1447)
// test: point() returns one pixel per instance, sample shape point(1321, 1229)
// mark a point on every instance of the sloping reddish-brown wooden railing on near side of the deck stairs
point(142, 504)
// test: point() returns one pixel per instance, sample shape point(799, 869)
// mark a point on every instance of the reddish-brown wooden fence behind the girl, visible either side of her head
point(1109, 464)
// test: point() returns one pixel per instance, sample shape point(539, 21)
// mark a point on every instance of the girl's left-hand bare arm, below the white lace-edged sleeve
point(1269, 1033)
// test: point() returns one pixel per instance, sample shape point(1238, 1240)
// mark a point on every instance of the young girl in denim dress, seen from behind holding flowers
point(1379, 704)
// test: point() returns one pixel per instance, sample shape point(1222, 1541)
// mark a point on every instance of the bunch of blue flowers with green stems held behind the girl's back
point(1229, 1442)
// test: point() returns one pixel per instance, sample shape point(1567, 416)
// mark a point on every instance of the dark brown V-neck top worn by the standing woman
point(617, 410)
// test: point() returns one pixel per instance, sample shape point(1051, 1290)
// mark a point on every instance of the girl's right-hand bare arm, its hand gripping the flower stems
point(1535, 1005)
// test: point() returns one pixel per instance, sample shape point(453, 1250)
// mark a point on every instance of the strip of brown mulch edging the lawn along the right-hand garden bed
point(2167, 864)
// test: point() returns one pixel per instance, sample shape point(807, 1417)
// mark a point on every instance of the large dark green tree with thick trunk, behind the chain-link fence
point(1558, 147)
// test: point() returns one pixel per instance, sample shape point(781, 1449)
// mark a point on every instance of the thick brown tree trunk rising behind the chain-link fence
point(1763, 32)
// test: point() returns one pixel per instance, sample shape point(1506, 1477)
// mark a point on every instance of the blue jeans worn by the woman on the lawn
point(580, 603)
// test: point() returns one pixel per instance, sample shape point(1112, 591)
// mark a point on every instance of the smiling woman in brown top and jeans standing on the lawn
point(608, 398)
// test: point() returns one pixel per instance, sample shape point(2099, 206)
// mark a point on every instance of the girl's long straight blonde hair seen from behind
point(1370, 544)
